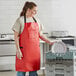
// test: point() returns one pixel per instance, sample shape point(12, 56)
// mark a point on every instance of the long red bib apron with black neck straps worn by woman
point(29, 45)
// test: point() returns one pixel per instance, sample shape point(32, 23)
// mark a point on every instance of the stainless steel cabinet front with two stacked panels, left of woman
point(7, 54)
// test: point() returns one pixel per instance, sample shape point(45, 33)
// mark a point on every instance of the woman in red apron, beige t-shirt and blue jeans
point(27, 31)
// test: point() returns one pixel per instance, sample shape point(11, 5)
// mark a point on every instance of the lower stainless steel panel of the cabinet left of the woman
point(7, 63)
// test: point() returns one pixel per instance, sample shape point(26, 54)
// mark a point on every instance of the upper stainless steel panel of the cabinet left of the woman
point(7, 48)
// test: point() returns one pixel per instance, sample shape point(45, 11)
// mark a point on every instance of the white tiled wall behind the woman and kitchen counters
point(53, 14)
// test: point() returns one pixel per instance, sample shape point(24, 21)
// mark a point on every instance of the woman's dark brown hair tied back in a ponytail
point(27, 5)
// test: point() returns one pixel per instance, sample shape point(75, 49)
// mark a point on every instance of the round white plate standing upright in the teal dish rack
point(58, 47)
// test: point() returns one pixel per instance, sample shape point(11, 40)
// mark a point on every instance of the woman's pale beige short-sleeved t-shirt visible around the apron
point(19, 24)
